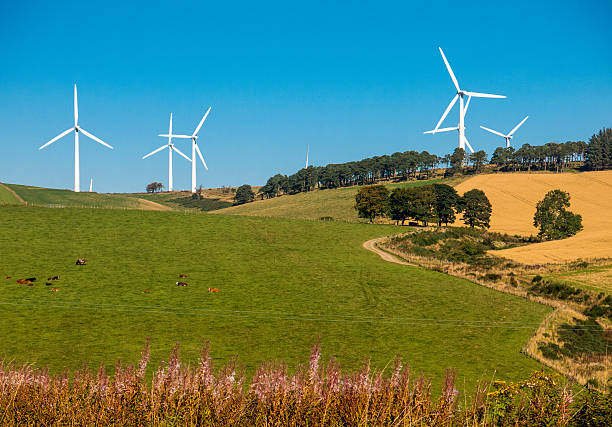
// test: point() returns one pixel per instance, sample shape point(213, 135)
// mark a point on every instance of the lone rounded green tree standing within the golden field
point(553, 219)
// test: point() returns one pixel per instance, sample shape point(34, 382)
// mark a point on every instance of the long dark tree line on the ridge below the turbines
point(412, 165)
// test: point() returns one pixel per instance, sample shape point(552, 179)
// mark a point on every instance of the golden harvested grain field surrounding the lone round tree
point(514, 197)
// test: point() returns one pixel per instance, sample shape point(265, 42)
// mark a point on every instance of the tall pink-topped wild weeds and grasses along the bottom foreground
point(314, 394)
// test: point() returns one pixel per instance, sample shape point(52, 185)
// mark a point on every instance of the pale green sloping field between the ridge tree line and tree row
point(335, 203)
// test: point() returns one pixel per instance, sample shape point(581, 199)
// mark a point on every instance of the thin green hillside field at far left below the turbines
point(63, 198)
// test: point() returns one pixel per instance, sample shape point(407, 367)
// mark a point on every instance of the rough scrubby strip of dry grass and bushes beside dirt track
point(576, 344)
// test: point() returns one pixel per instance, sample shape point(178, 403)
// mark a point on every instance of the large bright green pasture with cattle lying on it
point(282, 284)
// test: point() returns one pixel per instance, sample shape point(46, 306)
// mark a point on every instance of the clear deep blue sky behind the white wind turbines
point(352, 79)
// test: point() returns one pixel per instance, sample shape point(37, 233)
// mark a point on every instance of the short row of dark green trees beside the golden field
point(428, 203)
